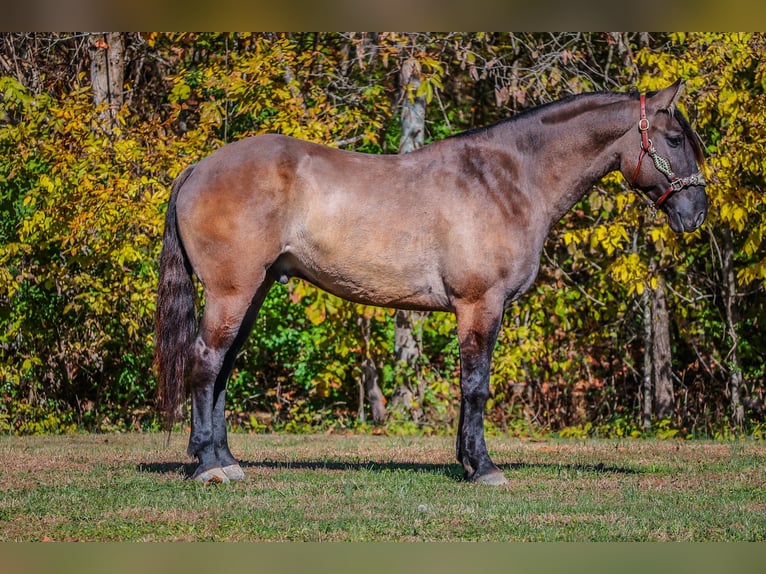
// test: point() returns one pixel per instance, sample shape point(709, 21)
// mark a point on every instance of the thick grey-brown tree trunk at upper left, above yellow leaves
point(107, 71)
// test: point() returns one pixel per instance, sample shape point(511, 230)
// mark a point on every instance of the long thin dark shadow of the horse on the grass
point(452, 471)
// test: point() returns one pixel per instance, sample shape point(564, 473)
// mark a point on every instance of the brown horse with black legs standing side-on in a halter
point(456, 226)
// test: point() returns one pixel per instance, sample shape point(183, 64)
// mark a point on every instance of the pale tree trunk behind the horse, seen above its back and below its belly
point(407, 339)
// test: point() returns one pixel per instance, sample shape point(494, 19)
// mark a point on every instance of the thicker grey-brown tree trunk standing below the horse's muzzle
point(664, 401)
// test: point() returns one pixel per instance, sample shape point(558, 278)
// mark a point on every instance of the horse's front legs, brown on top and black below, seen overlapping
point(478, 325)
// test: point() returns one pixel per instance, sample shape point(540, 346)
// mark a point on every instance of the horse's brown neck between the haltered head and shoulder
point(577, 147)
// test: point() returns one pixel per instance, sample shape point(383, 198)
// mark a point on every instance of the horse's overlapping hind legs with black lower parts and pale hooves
point(225, 326)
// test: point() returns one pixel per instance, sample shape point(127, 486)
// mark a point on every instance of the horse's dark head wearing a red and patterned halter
point(665, 163)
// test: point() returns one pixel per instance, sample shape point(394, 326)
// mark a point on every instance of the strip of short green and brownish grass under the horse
point(378, 488)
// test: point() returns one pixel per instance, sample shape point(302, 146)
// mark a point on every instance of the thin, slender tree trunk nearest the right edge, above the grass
point(732, 318)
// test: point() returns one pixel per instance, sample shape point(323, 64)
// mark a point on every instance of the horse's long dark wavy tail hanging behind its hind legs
point(176, 316)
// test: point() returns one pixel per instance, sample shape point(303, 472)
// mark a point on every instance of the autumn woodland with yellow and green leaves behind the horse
point(629, 329)
